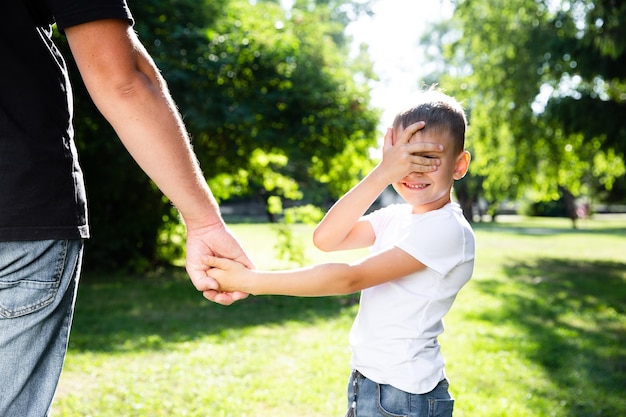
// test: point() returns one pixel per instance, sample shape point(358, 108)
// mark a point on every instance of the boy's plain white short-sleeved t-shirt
point(394, 336)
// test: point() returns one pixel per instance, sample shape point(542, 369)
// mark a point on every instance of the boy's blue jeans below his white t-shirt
point(379, 400)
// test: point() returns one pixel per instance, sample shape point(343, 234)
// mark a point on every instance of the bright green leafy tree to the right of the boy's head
point(539, 79)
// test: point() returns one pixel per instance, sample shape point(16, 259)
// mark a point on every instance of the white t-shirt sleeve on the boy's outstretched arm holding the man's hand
point(438, 241)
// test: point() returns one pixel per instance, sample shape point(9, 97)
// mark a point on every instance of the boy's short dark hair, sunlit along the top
point(440, 112)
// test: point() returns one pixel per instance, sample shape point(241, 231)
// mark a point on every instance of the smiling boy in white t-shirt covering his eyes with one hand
point(422, 254)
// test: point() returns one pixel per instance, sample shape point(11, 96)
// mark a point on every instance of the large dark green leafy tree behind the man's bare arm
point(271, 102)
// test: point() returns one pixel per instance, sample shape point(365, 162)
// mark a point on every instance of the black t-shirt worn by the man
point(42, 194)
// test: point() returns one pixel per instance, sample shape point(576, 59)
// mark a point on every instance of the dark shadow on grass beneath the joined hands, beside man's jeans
point(149, 313)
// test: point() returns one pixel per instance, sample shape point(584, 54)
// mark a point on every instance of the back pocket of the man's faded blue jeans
point(30, 275)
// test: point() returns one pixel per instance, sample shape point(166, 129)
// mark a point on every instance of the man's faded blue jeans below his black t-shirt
point(38, 283)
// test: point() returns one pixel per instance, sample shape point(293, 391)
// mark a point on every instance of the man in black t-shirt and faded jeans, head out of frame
point(43, 208)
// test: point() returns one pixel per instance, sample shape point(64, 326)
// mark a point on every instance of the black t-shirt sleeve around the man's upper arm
point(75, 12)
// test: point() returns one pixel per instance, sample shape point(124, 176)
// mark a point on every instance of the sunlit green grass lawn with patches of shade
point(539, 331)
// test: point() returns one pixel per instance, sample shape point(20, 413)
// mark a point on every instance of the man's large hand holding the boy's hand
point(213, 240)
